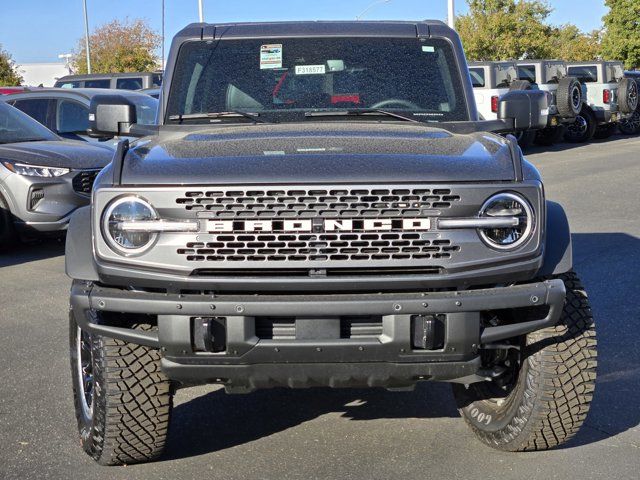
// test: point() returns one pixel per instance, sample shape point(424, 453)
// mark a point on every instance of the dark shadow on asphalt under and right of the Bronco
point(608, 265)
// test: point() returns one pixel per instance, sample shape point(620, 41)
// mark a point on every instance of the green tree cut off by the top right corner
point(621, 38)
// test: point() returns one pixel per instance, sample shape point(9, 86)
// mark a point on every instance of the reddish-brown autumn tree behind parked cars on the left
point(116, 46)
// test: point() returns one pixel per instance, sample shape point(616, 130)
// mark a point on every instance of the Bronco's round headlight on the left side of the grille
point(121, 211)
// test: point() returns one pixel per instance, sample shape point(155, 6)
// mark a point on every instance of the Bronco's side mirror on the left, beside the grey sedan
point(112, 115)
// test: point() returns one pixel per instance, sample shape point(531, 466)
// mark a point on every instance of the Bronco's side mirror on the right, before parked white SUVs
point(527, 109)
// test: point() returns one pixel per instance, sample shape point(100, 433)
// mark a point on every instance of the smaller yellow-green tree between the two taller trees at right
point(569, 43)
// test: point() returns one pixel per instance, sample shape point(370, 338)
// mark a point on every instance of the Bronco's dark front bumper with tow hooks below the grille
point(389, 359)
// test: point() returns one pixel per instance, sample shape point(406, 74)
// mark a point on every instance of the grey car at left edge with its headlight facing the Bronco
point(43, 178)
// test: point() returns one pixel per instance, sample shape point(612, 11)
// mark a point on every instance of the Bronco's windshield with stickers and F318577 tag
point(282, 79)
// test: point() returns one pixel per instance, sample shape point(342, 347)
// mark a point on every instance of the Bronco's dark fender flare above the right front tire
point(558, 253)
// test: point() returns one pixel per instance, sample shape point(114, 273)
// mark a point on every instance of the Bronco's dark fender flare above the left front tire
point(79, 262)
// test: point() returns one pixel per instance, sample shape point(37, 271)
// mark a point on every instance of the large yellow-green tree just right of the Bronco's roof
point(505, 29)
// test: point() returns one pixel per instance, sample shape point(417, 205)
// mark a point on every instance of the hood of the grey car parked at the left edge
point(57, 153)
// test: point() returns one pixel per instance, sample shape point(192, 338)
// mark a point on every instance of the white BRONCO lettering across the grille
point(320, 225)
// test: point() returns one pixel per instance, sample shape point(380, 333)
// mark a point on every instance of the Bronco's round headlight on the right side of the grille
point(507, 205)
